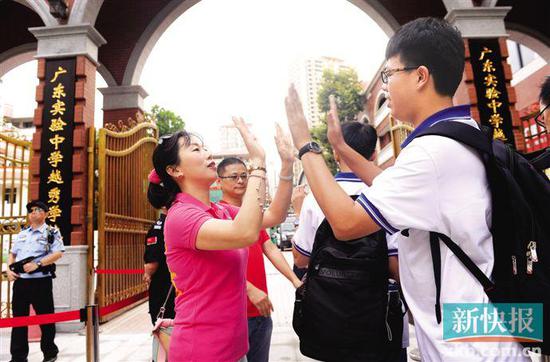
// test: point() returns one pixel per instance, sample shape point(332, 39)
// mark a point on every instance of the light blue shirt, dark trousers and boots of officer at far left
point(34, 289)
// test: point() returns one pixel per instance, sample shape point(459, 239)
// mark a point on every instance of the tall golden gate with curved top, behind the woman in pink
point(124, 214)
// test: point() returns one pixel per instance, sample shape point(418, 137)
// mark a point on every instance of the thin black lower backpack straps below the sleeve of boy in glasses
point(487, 284)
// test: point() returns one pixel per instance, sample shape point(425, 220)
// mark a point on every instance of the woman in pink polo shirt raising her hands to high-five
point(206, 249)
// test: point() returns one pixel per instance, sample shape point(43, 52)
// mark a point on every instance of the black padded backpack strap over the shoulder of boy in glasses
point(461, 132)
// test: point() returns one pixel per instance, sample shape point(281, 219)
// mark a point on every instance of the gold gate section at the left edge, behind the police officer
point(15, 156)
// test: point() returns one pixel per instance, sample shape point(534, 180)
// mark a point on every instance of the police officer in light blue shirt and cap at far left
point(33, 285)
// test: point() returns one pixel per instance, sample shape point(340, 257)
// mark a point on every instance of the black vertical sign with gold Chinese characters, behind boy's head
point(490, 84)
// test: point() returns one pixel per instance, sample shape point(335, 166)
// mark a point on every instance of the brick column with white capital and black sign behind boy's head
point(483, 28)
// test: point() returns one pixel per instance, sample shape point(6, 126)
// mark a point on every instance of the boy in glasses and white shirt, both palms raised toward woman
point(436, 184)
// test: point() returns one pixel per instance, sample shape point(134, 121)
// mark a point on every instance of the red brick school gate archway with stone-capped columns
point(115, 38)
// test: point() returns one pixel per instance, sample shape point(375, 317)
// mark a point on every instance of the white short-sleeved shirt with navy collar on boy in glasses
point(438, 184)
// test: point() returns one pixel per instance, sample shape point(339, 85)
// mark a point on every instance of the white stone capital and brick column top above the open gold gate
point(121, 103)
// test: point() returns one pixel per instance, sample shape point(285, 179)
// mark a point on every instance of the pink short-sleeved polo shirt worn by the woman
point(211, 320)
